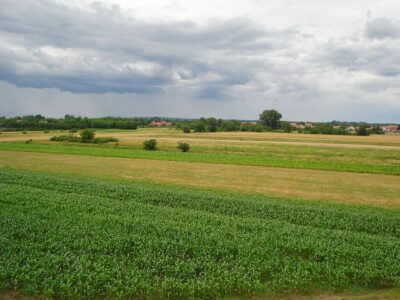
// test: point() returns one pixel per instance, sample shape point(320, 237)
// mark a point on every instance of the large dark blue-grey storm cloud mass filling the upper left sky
point(99, 50)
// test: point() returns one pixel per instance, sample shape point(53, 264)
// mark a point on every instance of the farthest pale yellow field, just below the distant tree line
point(387, 141)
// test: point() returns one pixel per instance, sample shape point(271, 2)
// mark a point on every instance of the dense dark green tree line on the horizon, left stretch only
point(39, 122)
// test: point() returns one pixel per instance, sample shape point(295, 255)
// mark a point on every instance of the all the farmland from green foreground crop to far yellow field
point(241, 214)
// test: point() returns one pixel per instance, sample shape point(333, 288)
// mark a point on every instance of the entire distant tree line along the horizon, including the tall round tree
point(269, 120)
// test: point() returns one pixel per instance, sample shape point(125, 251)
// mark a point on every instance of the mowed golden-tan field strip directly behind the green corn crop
point(371, 189)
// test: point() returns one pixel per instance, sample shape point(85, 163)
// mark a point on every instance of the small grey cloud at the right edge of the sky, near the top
point(381, 28)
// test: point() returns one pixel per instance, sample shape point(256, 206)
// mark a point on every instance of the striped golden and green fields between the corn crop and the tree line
point(349, 169)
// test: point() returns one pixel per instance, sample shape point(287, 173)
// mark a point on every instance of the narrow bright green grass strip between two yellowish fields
point(267, 160)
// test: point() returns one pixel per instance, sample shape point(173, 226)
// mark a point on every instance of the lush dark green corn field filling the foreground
point(69, 237)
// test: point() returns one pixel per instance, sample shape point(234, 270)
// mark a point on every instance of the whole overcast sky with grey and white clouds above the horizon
point(312, 60)
